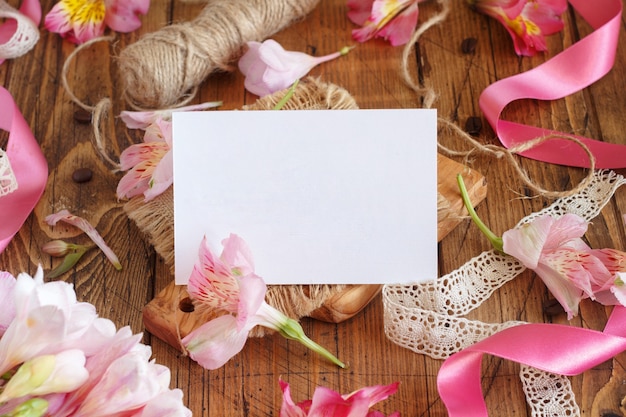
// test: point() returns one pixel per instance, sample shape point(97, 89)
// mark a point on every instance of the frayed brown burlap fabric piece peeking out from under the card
point(156, 217)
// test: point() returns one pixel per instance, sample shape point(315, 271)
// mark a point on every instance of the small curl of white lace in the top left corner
point(25, 37)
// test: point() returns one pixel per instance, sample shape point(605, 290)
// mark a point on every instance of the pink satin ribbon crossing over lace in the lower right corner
point(554, 348)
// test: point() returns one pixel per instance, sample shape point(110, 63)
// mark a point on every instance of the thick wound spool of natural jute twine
point(164, 68)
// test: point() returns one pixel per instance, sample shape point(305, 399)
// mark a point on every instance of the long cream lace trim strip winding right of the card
point(427, 317)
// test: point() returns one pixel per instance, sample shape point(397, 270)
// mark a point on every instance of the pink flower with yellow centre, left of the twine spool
point(82, 20)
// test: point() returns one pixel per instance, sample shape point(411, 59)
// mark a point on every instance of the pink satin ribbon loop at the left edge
point(29, 167)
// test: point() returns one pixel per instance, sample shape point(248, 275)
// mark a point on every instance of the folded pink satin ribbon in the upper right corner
point(575, 68)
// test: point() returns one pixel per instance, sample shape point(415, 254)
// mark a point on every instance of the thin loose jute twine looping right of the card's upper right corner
point(429, 96)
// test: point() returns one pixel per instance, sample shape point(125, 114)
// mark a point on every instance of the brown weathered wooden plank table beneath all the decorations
point(248, 384)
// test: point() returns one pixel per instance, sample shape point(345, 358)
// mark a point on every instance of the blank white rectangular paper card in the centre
point(320, 196)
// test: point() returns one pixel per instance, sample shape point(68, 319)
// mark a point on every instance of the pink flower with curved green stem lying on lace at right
point(553, 248)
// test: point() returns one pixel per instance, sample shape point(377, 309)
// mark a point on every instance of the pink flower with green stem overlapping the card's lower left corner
point(228, 284)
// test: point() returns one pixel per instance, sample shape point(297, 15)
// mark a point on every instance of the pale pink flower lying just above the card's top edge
point(268, 67)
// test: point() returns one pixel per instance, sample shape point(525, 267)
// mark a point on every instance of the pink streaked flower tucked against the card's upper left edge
point(150, 165)
